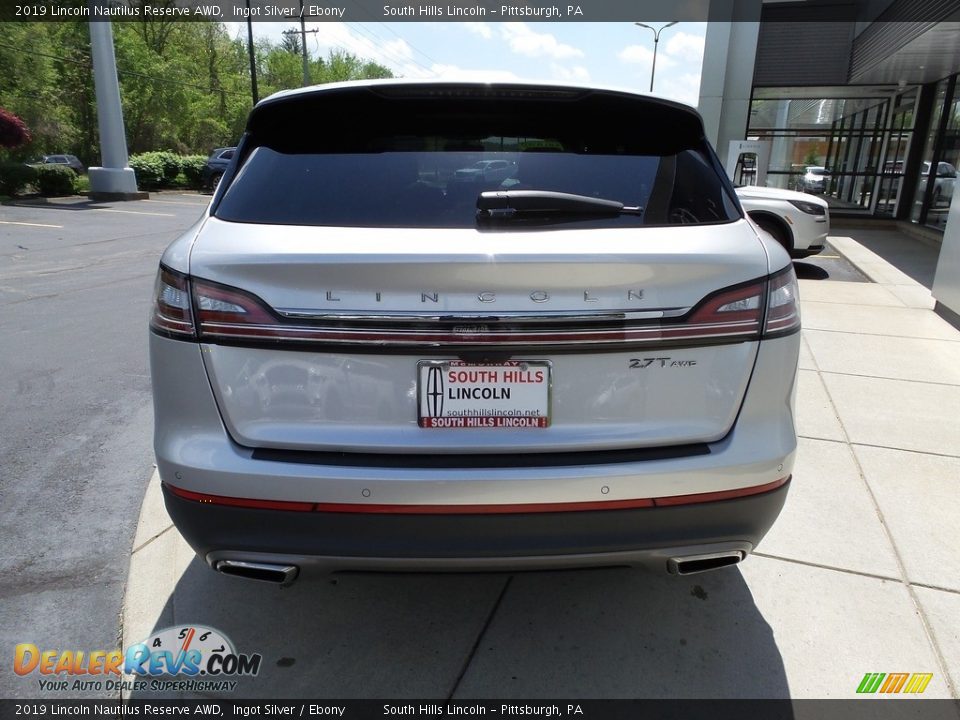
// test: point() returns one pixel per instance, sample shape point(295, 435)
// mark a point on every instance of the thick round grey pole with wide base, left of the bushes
point(114, 180)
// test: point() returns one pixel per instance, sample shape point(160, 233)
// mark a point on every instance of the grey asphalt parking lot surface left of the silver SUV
point(75, 413)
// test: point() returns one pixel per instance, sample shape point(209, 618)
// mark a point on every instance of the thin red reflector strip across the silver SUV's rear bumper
point(373, 509)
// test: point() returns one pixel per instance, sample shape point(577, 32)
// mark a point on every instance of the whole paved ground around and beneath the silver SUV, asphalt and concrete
point(859, 575)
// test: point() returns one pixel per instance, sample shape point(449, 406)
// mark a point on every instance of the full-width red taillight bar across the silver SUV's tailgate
point(204, 310)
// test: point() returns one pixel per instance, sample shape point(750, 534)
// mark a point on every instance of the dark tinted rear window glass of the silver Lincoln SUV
point(432, 179)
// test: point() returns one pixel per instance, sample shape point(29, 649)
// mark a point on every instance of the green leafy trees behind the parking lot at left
point(185, 86)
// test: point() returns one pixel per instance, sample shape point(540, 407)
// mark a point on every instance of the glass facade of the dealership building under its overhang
point(856, 151)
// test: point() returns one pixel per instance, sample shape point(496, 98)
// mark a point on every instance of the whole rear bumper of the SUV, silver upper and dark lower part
point(195, 453)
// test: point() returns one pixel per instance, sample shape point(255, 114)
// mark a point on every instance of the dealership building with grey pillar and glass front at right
point(868, 90)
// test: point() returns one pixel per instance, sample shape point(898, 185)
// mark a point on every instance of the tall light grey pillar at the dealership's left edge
point(726, 80)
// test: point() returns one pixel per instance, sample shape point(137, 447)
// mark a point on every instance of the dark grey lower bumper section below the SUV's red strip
point(333, 541)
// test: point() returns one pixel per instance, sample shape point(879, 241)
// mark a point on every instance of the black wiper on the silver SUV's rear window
point(506, 204)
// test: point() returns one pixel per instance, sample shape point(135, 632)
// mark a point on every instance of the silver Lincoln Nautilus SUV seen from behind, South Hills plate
point(354, 369)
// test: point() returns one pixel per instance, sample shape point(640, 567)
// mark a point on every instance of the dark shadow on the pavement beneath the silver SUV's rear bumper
point(611, 633)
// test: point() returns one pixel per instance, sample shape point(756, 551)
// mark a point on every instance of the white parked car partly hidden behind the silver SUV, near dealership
point(797, 221)
